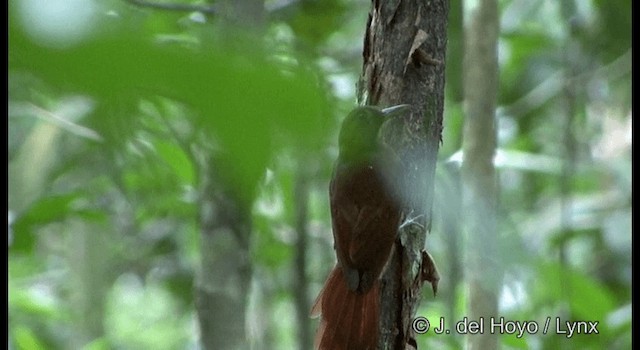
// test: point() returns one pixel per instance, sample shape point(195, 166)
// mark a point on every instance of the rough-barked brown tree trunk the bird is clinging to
point(404, 63)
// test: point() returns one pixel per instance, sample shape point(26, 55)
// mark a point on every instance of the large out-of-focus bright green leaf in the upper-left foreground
point(243, 100)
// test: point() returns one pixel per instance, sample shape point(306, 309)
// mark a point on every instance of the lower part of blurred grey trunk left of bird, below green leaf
point(224, 278)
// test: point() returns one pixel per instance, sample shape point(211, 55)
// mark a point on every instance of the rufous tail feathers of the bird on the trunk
point(349, 319)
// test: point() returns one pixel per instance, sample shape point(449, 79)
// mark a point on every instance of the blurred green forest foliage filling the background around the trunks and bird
point(111, 107)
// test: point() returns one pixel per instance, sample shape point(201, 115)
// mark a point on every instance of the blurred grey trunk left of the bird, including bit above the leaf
point(224, 280)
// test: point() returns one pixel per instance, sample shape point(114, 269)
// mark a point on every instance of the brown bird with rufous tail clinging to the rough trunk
point(365, 214)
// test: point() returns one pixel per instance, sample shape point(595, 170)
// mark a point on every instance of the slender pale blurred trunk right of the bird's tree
point(478, 173)
